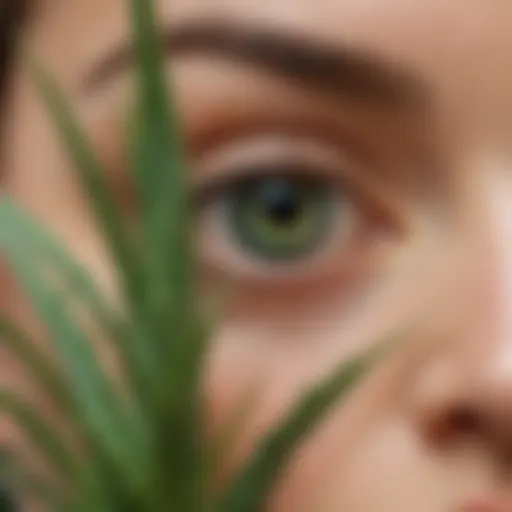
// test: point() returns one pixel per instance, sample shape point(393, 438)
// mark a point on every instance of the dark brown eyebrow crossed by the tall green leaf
point(343, 71)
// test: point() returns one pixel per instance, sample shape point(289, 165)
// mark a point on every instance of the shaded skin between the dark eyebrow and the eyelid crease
point(243, 101)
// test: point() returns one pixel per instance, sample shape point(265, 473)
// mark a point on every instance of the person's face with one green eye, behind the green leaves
point(401, 141)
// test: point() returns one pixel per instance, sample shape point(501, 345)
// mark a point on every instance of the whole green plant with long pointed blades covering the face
point(142, 445)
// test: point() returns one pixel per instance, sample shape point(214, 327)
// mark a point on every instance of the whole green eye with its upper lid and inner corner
point(276, 207)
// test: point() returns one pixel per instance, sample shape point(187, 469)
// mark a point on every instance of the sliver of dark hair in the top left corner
point(12, 14)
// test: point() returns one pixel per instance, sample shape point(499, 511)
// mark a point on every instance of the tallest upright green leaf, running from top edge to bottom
point(158, 166)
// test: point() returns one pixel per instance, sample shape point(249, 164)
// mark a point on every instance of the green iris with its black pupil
point(280, 219)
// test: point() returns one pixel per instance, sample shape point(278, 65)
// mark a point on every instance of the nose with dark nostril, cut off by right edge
point(467, 392)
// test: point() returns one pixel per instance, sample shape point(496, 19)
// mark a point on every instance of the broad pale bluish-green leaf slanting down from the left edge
point(103, 415)
